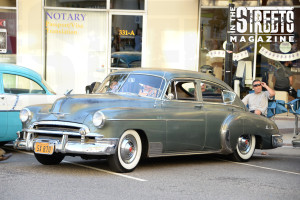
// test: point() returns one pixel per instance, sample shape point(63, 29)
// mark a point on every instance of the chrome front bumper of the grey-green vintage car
point(102, 146)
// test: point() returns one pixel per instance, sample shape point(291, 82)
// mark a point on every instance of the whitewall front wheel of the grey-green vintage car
point(128, 152)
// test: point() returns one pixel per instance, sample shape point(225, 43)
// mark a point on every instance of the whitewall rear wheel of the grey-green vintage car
point(244, 148)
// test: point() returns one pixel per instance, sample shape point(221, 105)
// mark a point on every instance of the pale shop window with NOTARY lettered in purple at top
point(76, 48)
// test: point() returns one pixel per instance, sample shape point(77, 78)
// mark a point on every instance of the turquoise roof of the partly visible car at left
point(11, 68)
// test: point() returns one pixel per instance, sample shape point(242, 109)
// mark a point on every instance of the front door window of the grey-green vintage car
point(182, 90)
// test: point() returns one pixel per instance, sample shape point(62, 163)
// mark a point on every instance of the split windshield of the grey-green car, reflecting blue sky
point(138, 84)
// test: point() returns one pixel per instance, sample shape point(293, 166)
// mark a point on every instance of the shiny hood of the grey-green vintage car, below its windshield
point(75, 108)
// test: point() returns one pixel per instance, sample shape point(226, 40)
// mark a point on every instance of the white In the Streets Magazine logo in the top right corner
point(269, 24)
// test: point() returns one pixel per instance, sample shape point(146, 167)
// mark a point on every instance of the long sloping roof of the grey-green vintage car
point(174, 73)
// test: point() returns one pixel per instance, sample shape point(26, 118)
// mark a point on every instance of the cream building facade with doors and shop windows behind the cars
point(72, 42)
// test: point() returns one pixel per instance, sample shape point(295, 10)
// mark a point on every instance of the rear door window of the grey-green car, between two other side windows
point(211, 92)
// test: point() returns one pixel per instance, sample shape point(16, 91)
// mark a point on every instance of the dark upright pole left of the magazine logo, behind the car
point(229, 50)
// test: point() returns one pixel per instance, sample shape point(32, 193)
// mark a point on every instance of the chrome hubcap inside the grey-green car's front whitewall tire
point(128, 149)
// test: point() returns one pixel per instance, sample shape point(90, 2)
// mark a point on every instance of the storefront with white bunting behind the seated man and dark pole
point(256, 56)
